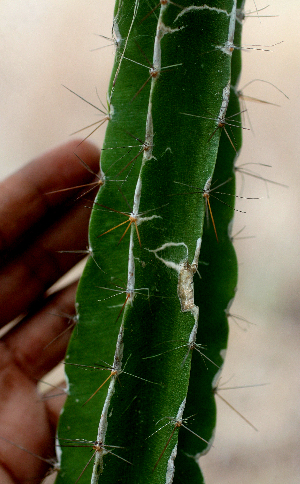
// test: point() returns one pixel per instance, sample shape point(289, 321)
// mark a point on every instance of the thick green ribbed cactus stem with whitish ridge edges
point(157, 377)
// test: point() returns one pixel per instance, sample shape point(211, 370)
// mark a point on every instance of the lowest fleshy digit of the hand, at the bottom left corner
point(23, 422)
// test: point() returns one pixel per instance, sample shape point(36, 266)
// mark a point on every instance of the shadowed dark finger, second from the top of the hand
point(29, 275)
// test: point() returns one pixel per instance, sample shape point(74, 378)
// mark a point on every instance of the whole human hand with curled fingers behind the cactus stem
point(34, 226)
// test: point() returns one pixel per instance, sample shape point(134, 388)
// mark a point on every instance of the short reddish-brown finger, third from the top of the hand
point(38, 343)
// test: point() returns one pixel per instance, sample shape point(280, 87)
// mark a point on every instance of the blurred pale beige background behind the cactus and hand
point(44, 44)
